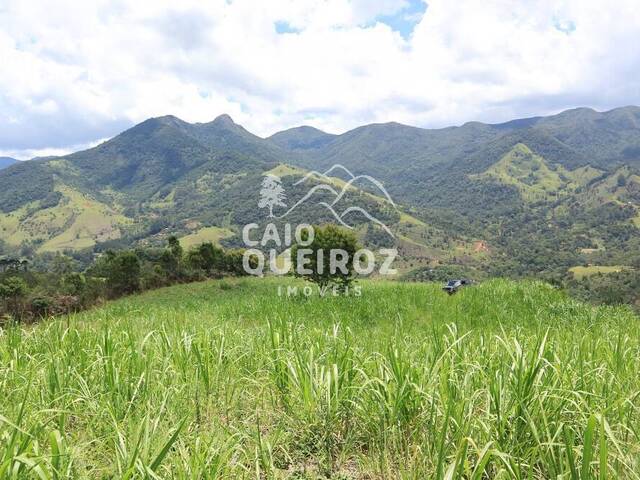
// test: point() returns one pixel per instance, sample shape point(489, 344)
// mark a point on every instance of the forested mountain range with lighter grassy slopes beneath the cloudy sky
point(529, 196)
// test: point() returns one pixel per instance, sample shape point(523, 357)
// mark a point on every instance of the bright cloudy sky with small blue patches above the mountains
point(74, 73)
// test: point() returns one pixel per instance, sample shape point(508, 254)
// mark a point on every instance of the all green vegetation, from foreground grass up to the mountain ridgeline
point(230, 378)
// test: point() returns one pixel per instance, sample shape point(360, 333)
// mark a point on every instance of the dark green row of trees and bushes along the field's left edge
point(29, 295)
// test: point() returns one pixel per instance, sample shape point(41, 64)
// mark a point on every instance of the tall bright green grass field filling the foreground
point(225, 379)
